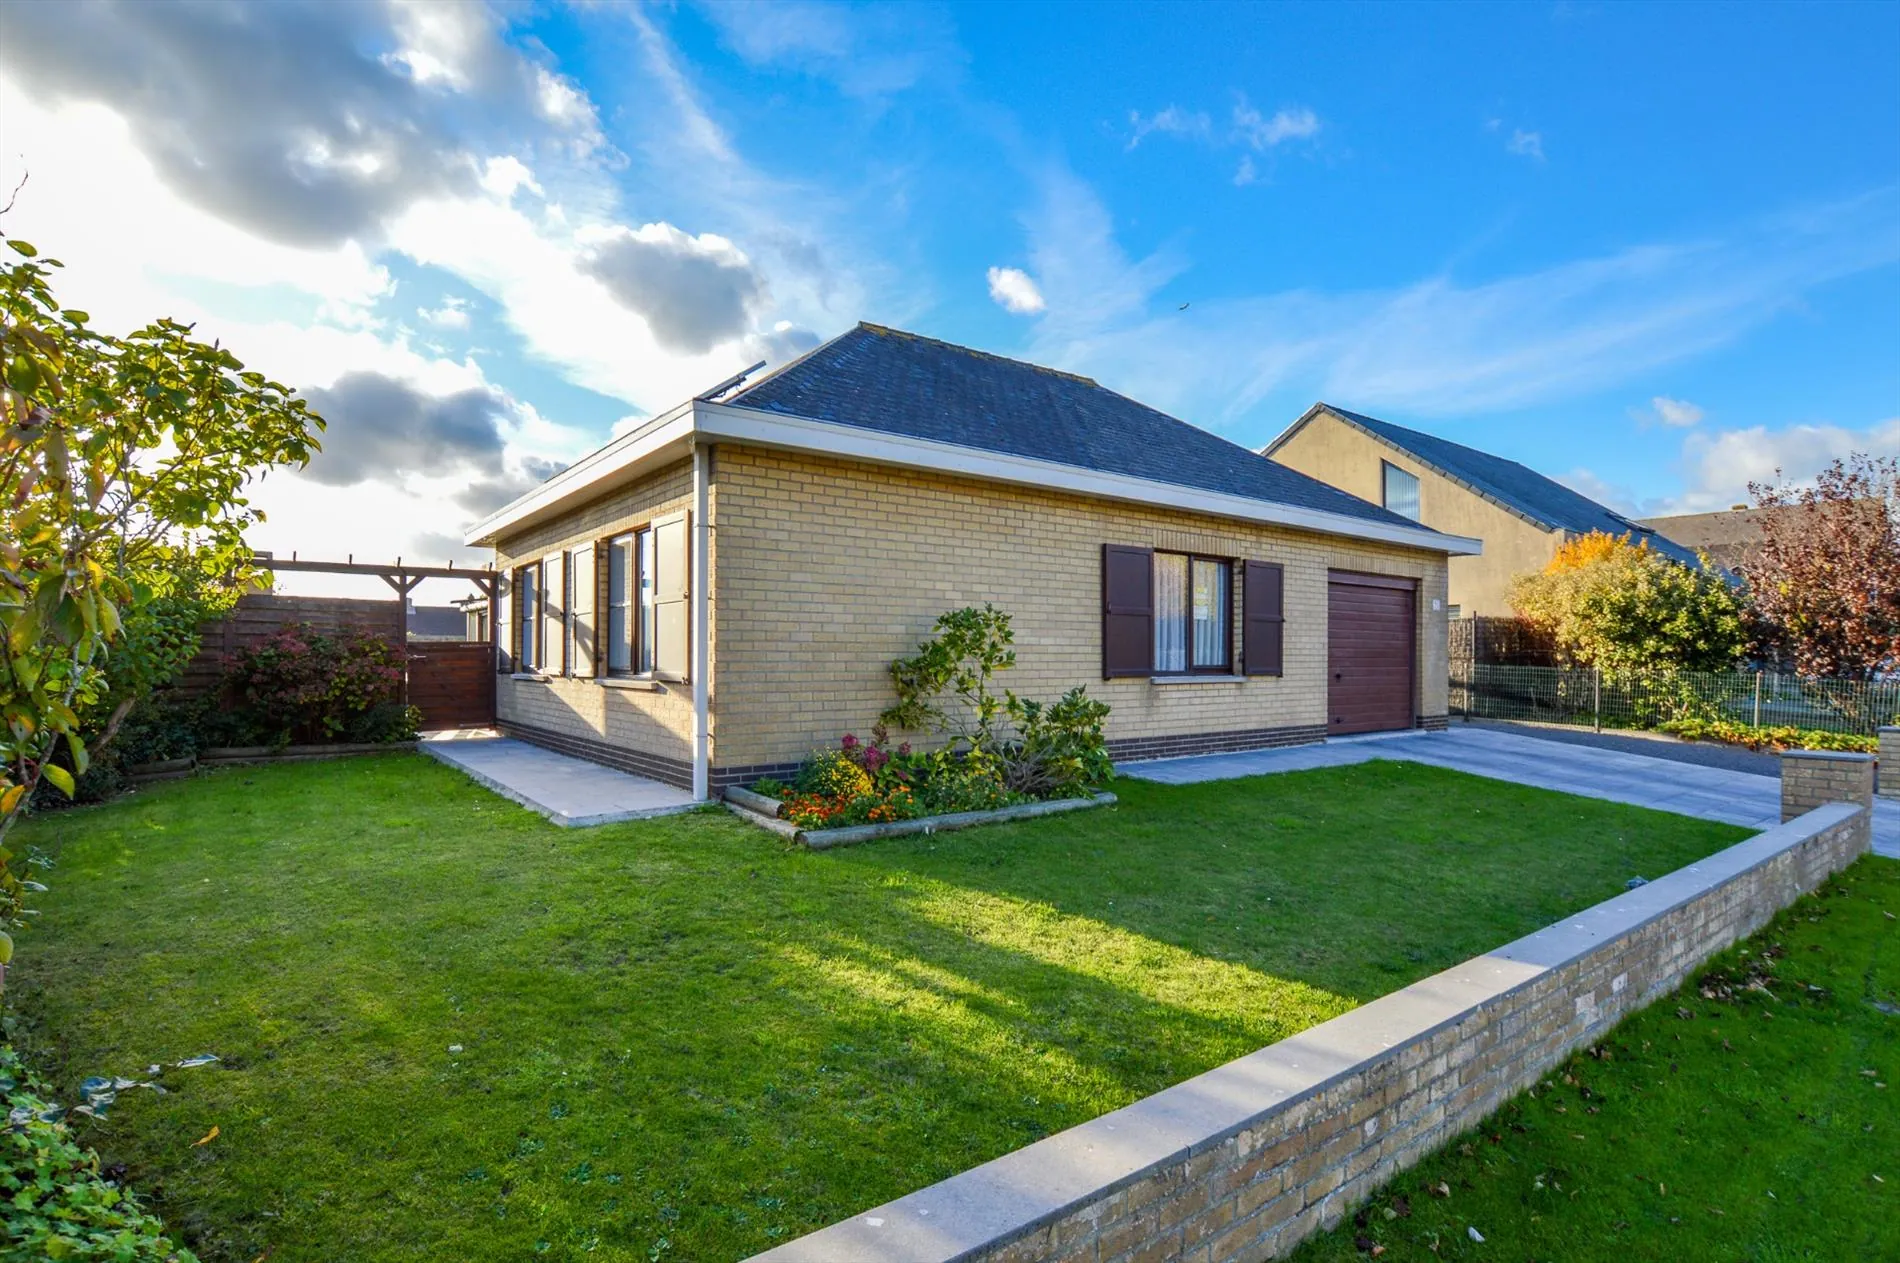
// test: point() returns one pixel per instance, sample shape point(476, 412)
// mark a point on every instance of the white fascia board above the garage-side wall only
point(734, 424)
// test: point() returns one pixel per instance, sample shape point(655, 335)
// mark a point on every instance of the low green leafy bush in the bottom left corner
point(54, 1199)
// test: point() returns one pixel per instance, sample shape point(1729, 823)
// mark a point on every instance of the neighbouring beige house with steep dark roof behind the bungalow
point(1521, 516)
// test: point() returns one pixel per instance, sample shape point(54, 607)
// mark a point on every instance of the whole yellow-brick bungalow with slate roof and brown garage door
point(719, 592)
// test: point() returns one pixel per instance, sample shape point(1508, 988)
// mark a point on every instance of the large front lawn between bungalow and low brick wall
point(679, 1040)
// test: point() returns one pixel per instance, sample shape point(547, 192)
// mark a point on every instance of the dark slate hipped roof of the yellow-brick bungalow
point(905, 385)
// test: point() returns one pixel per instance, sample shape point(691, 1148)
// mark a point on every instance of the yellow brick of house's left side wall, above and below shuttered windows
point(653, 723)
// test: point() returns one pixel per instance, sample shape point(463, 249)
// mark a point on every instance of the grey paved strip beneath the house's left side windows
point(567, 791)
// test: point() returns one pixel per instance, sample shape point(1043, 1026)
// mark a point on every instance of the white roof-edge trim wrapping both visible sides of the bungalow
point(666, 440)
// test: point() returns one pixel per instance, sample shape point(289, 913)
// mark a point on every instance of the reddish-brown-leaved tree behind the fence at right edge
point(1825, 580)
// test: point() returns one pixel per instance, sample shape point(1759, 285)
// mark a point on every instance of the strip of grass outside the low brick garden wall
point(1722, 1123)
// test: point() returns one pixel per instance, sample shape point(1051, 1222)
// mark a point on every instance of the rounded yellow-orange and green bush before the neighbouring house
point(1618, 605)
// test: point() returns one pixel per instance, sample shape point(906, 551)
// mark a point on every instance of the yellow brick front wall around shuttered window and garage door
point(827, 571)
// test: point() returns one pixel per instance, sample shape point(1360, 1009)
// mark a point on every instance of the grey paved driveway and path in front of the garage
point(1641, 780)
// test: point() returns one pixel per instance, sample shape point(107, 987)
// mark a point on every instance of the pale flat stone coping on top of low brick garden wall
point(1012, 1196)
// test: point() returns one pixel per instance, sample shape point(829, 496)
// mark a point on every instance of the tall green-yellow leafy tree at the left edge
point(119, 457)
